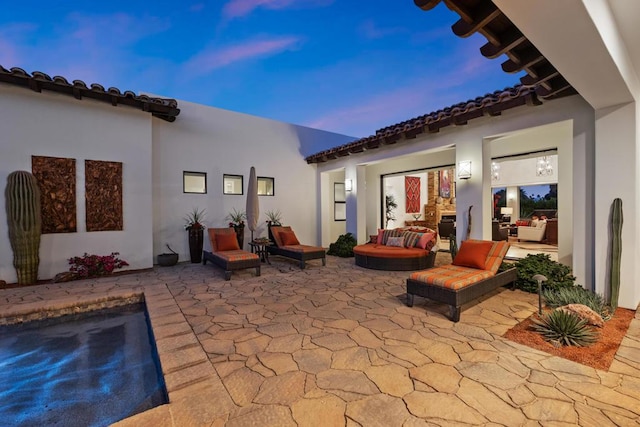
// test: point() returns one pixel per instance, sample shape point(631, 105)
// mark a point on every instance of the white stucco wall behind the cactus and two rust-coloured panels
point(49, 124)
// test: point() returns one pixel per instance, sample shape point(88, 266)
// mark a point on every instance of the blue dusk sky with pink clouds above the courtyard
point(345, 66)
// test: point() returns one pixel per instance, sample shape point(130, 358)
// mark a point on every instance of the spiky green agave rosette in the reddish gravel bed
point(565, 328)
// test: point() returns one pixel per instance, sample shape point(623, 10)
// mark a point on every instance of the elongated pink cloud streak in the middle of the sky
point(211, 59)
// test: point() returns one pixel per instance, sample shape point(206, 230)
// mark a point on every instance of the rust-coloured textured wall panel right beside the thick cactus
point(56, 178)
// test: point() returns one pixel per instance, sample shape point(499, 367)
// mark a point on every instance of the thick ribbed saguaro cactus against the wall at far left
point(22, 197)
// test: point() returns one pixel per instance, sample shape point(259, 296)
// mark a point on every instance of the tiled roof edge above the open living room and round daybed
point(491, 104)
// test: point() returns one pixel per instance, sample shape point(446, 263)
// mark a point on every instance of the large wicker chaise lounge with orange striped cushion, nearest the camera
point(473, 273)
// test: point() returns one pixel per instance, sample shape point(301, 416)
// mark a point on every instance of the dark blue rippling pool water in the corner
point(91, 369)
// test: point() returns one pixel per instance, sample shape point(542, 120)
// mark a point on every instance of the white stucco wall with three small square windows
point(216, 141)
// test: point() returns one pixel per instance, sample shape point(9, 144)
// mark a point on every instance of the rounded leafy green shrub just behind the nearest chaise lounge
point(558, 275)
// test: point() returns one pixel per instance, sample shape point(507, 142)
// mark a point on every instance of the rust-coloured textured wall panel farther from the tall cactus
point(103, 195)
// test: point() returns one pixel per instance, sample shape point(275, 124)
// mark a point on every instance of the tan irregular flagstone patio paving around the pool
point(337, 346)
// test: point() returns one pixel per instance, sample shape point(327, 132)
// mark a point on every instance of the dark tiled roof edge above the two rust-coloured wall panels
point(163, 108)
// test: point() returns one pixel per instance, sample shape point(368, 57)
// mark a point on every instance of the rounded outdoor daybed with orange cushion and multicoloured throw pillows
point(398, 249)
